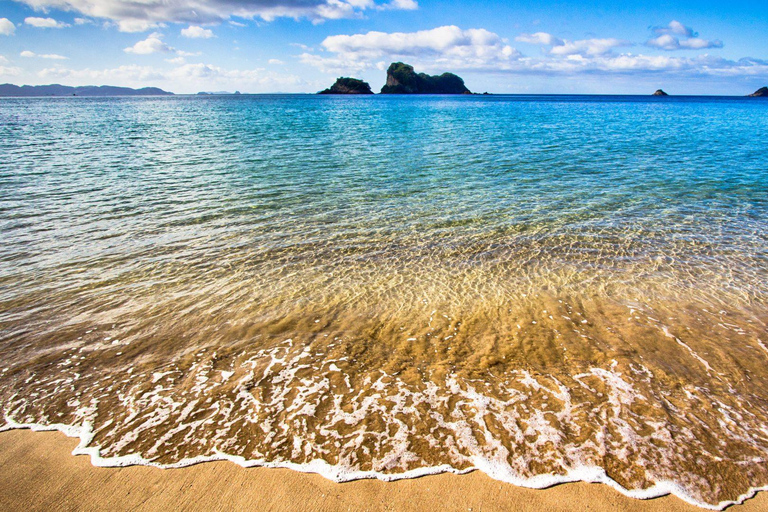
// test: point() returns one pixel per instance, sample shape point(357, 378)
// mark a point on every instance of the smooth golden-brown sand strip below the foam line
point(38, 472)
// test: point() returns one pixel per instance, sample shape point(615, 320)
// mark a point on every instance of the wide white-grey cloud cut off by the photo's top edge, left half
point(138, 16)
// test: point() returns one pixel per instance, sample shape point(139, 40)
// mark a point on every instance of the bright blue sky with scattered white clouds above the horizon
point(270, 46)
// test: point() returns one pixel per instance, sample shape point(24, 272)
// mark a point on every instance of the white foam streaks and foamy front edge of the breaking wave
point(470, 445)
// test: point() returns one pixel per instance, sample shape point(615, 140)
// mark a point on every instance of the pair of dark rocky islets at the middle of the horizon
point(402, 79)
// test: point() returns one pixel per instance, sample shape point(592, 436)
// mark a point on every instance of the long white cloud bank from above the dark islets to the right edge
point(452, 49)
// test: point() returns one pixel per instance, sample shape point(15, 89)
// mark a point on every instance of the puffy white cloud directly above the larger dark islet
point(447, 47)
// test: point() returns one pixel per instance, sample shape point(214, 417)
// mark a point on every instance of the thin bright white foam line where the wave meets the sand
point(587, 474)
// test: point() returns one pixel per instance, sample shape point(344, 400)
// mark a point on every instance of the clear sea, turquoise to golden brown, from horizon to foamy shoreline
point(538, 287)
